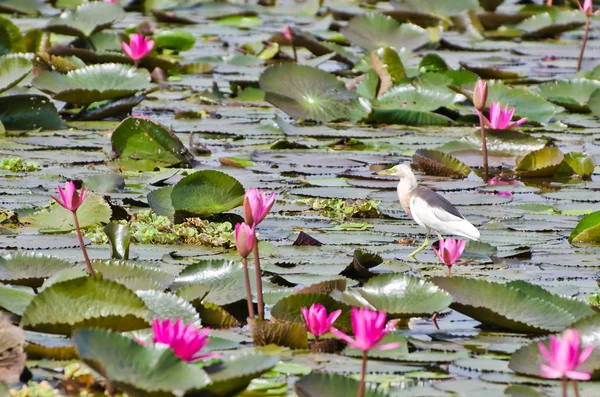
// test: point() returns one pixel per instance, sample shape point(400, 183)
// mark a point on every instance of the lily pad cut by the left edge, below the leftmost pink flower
point(29, 268)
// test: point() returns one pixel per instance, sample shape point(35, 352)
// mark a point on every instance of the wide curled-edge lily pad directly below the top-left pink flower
point(93, 83)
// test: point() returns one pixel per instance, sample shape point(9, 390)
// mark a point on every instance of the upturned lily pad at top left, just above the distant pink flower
point(86, 19)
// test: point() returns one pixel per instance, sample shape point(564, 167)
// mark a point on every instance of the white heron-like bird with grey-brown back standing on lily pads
point(429, 209)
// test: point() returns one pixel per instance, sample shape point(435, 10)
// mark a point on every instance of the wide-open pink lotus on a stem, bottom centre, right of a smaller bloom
point(369, 329)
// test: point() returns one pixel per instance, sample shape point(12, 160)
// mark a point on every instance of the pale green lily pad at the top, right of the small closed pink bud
point(374, 30)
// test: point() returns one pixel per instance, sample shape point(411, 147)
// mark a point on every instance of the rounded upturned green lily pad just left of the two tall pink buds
point(205, 193)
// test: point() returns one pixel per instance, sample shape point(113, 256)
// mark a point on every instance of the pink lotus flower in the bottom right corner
point(564, 357)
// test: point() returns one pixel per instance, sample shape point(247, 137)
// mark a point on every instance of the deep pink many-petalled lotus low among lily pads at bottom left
point(186, 342)
